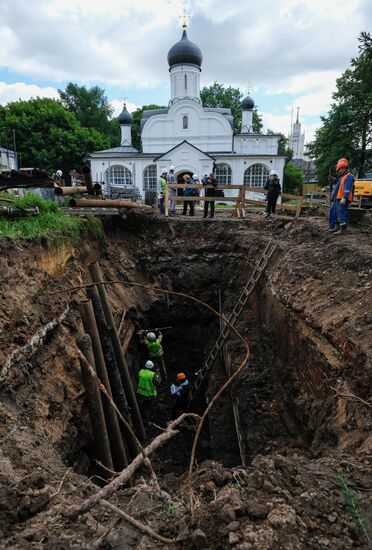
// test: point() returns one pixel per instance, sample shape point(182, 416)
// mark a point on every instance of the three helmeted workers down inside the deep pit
point(154, 373)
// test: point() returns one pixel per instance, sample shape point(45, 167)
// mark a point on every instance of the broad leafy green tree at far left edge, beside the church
point(48, 136)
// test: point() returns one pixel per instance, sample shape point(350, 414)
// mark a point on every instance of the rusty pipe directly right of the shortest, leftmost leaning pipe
point(116, 442)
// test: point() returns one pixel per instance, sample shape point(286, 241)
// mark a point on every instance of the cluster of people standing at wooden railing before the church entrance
point(169, 178)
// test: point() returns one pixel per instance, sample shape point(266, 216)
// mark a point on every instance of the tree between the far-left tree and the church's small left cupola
point(90, 106)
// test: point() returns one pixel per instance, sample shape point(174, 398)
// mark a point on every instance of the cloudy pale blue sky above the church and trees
point(285, 53)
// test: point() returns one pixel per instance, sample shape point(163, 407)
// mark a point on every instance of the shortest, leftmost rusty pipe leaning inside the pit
point(93, 397)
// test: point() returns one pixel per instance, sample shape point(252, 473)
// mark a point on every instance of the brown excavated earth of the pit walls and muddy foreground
point(304, 398)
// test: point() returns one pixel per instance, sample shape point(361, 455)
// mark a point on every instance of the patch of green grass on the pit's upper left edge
point(51, 225)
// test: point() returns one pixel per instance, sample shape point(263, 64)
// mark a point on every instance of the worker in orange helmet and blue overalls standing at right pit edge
point(341, 198)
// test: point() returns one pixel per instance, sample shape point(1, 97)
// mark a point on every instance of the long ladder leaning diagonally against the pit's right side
point(236, 312)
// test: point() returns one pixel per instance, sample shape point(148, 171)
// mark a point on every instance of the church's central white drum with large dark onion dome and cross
point(185, 59)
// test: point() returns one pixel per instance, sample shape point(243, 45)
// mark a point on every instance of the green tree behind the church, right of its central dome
point(217, 95)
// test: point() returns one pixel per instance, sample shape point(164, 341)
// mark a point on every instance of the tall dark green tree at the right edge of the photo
point(347, 129)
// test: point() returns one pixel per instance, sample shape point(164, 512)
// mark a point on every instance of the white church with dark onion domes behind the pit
point(192, 138)
